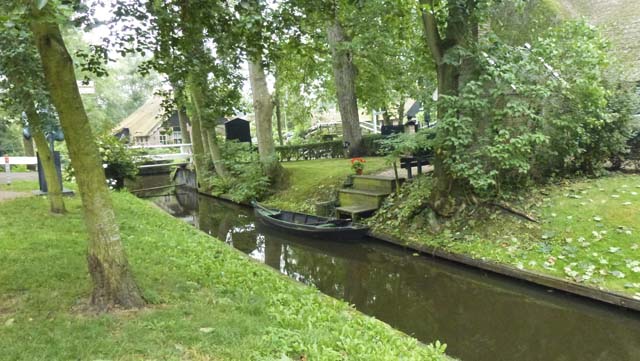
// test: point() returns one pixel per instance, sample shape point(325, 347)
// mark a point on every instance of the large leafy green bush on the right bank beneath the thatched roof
point(534, 111)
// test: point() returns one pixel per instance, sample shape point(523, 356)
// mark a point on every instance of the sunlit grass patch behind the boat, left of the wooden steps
point(317, 180)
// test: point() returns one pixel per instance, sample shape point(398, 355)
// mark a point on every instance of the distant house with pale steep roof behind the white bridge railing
point(144, 126)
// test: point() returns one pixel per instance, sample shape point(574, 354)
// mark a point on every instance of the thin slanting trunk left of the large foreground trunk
point(54, 188)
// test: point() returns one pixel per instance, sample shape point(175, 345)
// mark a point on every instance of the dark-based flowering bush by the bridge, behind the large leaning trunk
point(119, 161)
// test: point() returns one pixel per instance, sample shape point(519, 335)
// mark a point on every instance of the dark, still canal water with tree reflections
point(480, 316)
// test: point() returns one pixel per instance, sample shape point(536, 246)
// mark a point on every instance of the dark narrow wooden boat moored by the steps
point(310, 225)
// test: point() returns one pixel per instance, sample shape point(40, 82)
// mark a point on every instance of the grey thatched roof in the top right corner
point(620, 21)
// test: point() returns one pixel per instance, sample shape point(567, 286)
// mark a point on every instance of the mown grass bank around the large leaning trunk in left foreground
point(207, 301)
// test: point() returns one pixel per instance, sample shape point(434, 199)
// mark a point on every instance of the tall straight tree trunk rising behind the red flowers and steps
point(344, 73)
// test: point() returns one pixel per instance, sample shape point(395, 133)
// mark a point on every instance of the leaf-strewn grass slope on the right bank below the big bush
point(589, 232)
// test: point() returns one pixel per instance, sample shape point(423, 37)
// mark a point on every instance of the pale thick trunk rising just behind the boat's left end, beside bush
point(263, 110)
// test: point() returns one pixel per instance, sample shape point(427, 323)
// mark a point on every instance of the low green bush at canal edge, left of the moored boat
point(246, 180)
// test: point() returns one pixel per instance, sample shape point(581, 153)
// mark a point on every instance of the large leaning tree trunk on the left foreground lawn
point(113, 282)
